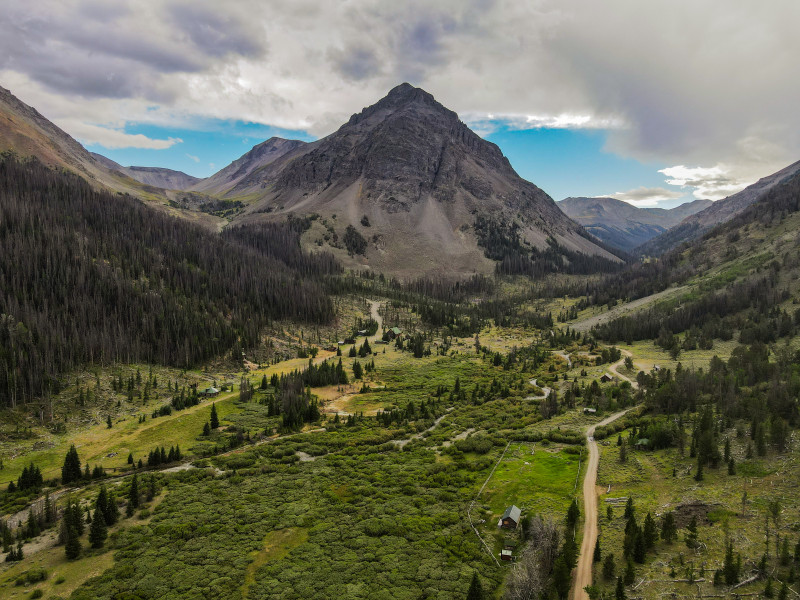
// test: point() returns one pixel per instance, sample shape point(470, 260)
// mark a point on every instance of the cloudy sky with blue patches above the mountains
point(655, 103)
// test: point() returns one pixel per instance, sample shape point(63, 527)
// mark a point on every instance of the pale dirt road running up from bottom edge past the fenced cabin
point(583, 572)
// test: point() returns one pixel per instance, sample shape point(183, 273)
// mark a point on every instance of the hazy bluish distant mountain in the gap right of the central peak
point(623, 225)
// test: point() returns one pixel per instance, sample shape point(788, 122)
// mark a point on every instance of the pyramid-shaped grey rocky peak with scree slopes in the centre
point(424, 192)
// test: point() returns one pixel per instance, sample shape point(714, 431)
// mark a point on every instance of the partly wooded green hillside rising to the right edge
point(742, 274)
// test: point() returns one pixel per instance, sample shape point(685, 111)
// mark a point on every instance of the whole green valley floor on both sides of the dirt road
point(377, 508)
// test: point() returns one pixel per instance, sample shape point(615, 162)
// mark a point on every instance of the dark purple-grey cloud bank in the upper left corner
point(113, 50)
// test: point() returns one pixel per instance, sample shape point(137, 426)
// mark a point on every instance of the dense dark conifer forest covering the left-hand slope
point(89, 276)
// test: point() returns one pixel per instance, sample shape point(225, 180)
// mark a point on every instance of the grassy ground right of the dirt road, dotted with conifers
point(661, 481)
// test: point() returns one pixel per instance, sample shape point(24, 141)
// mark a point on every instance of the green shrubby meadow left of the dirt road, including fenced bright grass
point(280, 520)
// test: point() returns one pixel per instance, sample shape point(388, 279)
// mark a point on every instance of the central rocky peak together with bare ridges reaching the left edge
point(404, 187)
